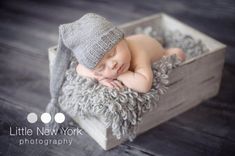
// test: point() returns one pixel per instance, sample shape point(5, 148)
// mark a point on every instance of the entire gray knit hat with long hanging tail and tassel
point(89, 38)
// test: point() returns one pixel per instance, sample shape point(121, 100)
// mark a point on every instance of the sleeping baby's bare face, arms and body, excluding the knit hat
point(128, 63)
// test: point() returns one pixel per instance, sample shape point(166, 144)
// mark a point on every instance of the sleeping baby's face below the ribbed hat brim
point(114, 62)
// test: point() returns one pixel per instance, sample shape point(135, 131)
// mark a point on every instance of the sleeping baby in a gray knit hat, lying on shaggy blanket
point(117, 61)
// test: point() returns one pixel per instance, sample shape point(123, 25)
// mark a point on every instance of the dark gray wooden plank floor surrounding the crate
point(29, 27)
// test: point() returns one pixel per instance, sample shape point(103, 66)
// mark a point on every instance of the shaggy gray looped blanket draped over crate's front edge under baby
point(124, 109)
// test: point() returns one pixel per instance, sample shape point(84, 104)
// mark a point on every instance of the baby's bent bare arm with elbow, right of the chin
point(140, 80)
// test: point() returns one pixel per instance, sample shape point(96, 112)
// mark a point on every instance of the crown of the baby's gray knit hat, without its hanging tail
point(90, 38)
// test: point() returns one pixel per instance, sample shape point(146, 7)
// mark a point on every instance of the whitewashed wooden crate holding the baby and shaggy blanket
point(195, 80)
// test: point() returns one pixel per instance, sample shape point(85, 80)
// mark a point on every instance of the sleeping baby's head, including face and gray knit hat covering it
point(103, 48)
